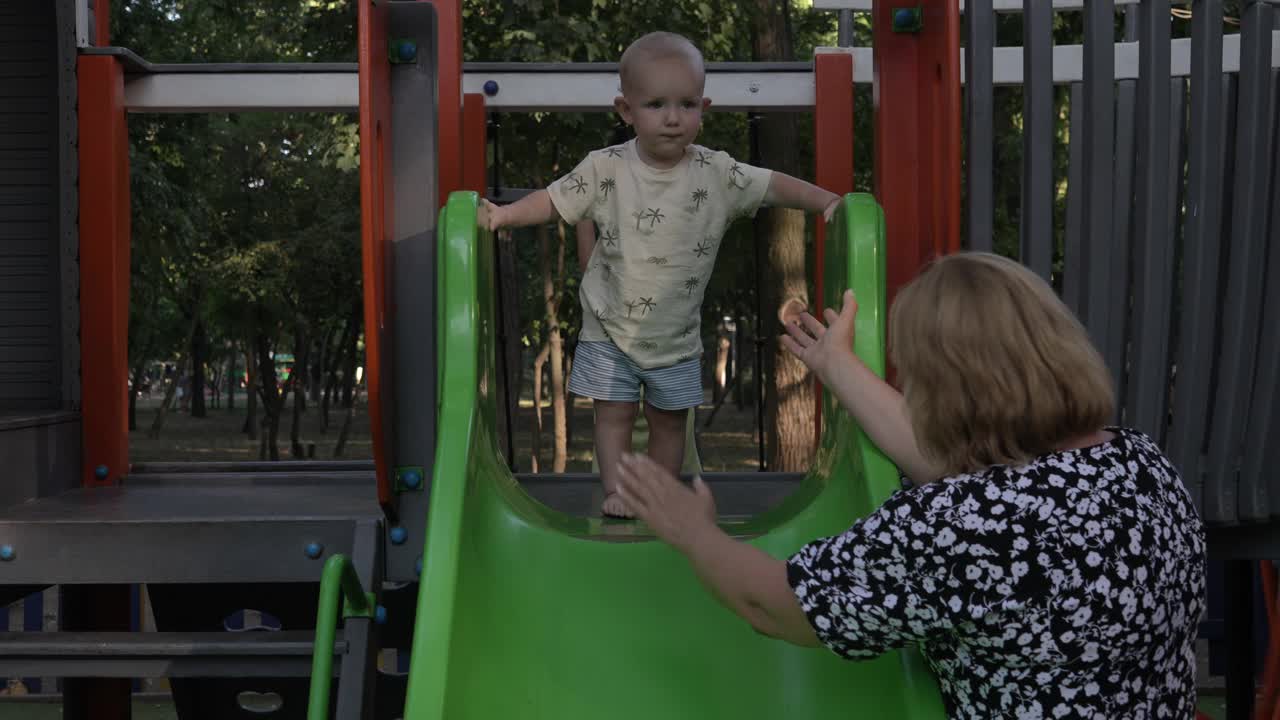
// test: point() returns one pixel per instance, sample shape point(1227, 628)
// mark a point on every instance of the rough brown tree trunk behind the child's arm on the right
point(789, 391)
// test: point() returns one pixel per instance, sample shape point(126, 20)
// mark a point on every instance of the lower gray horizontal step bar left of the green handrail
point(161, 655)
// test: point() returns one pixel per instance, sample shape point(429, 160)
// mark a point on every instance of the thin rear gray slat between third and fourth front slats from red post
point(1119, 295)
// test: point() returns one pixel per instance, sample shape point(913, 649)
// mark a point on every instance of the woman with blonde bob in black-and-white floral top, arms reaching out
point(1046, 566)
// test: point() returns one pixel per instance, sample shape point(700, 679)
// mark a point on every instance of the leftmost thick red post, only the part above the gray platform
point(104, 239)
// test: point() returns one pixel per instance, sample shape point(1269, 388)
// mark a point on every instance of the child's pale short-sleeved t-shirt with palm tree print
point(659, 236)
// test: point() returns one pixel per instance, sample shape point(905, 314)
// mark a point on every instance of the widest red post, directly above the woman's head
point(918, 135)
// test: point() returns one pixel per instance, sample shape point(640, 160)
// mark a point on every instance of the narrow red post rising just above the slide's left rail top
point(449, 74)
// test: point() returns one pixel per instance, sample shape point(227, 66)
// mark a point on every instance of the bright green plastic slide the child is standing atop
point(527, 613)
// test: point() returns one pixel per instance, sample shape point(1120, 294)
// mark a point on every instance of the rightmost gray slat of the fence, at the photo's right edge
point(1241, 306)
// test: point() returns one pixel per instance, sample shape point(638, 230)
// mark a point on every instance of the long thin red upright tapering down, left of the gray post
point(376, 208)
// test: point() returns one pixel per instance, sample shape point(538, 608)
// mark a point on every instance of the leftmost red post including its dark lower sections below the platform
point(104, 257)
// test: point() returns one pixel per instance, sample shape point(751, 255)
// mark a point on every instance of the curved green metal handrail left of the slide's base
point(340, 576)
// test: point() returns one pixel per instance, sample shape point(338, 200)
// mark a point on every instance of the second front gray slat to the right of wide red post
point(1037, 216)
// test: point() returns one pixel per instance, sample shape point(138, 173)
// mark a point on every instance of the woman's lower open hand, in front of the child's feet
point(676, 514)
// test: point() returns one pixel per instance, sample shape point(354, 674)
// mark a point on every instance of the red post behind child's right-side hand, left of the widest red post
point(834, 161)
